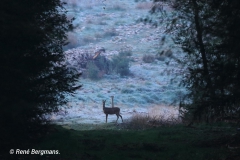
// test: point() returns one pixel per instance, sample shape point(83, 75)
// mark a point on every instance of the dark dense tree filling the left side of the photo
point(34, 79)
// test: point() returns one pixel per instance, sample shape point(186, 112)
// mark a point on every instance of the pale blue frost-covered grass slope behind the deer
point(115, 28)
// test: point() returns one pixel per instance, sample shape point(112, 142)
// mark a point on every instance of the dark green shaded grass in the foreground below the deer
point(164, 143)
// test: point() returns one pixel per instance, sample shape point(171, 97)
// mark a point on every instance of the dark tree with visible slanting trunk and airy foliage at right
point(207, 32)
